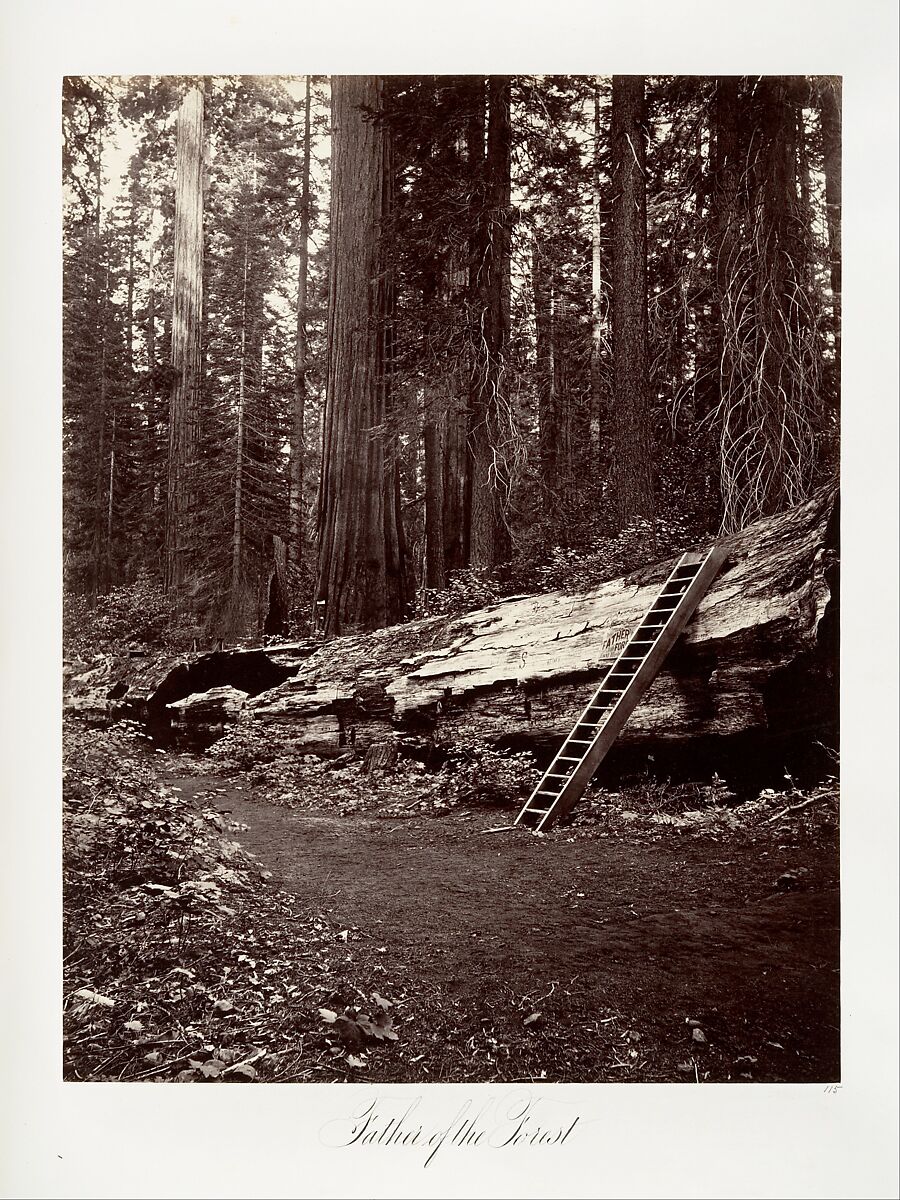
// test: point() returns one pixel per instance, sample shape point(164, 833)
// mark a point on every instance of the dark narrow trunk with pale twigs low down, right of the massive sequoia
point(490, 536)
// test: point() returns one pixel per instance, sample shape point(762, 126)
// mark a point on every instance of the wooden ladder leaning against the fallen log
point(625, 686)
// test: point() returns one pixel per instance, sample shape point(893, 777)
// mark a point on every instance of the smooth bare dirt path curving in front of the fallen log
point(657, 932)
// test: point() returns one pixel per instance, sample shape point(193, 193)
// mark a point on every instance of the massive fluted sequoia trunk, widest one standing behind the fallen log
point(361, 569)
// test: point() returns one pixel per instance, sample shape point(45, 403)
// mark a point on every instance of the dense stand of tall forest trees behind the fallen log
point(406, 345)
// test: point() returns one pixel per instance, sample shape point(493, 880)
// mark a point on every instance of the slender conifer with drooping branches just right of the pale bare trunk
point(250, 379)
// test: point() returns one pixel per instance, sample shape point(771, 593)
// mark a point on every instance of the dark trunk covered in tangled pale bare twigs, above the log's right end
point(770, 407)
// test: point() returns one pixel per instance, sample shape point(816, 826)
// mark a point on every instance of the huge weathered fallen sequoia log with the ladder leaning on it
point(759, 656)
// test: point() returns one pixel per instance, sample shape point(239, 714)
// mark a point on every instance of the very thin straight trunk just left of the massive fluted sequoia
point(298, 437)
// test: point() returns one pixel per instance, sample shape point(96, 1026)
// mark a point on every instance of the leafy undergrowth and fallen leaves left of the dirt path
point(179, 961)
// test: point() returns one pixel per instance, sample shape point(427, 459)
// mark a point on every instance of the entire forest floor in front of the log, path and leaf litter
point(635, 945)
